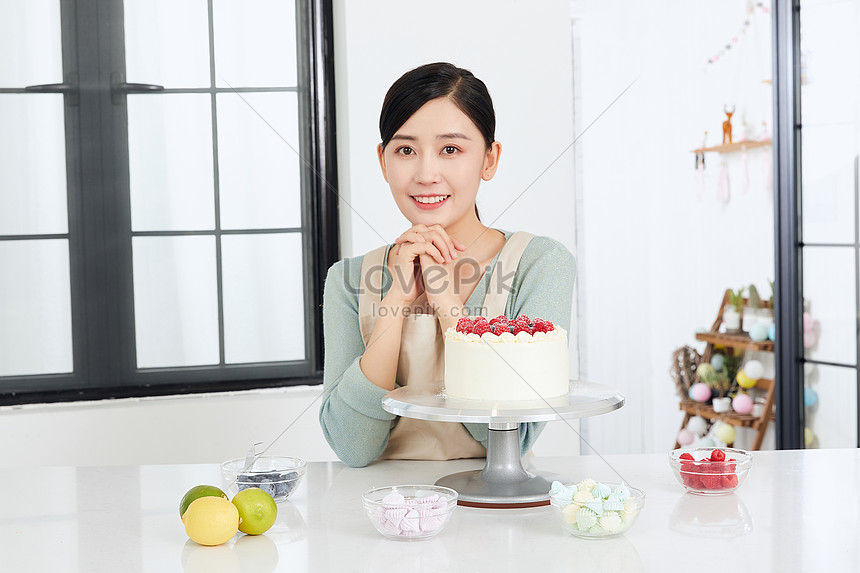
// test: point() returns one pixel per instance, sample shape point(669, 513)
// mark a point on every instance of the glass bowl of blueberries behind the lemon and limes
point(277, 475)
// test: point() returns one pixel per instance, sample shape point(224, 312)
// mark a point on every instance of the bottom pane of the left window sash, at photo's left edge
point(35, 308)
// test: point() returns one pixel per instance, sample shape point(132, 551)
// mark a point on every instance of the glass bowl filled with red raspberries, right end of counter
point(710, 471)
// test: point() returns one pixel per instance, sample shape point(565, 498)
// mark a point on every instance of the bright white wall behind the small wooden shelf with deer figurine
point(654, 257)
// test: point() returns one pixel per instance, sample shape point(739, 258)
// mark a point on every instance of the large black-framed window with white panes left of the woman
point(166, 216)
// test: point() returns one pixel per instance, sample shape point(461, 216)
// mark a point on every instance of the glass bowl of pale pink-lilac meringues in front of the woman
point(409, 512)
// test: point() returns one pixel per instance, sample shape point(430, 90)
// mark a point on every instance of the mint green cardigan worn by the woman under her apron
point(351, 414)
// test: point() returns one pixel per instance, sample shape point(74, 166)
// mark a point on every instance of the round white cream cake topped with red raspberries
point(506, 359)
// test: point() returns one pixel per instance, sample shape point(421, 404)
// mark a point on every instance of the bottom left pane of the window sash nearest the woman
point(175, 301)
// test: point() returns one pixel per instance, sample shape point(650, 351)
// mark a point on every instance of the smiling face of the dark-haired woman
point(435, 163)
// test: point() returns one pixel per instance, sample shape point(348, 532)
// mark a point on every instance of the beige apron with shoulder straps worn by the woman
point(422, 356)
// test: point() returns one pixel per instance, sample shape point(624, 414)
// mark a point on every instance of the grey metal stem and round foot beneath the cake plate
point(503, 483)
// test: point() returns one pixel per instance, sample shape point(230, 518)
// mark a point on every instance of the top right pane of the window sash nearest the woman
point(255, 43)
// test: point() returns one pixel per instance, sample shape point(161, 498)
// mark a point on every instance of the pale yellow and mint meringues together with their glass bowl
point(594, 510)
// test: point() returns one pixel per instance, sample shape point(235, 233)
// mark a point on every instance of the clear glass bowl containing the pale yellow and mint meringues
point(585, 519)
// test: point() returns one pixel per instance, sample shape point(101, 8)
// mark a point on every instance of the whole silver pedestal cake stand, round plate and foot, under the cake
point(504, 482)
